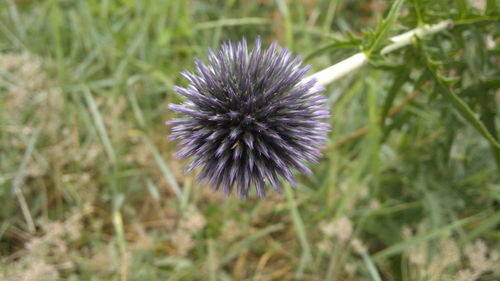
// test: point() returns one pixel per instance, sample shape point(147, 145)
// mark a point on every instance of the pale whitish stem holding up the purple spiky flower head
point(340, 69)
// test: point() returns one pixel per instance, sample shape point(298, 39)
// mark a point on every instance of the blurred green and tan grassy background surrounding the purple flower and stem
point(408, 188)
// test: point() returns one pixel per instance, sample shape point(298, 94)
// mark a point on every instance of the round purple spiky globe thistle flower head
point(250, 118)
